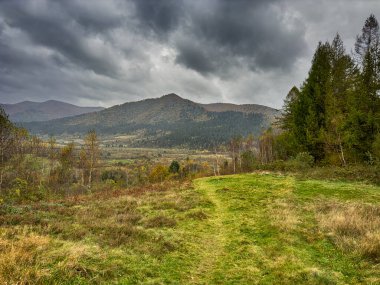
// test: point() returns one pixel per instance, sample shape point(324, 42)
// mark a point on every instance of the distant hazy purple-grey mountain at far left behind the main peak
point(28, 111)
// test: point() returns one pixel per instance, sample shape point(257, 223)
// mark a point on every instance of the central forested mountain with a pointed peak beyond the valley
point(167, 121)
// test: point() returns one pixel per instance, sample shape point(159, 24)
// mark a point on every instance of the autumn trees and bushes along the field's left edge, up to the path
point(32, 169)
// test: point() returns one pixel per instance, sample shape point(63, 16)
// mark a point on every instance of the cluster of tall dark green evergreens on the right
point(335, 115)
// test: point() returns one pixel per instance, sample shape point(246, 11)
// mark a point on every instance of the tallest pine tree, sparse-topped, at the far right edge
point(365, 103)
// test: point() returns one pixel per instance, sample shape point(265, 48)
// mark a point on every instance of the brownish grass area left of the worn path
point(86, 239)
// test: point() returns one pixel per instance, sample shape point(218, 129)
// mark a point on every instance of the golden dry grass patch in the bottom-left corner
point(29, 258)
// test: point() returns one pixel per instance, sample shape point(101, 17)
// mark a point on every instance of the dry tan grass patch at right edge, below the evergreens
point(354, 227)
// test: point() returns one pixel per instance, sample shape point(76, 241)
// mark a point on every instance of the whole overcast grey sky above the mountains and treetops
point(107, 52)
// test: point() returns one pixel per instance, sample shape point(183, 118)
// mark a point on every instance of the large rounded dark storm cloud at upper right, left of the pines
point(251, 30)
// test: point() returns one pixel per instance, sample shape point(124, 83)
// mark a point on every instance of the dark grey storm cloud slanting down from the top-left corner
point(51, 25)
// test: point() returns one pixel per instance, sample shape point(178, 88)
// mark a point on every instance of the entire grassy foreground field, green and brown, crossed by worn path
point(240, 229)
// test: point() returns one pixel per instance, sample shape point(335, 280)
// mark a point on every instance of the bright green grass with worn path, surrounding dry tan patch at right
point(271, 234)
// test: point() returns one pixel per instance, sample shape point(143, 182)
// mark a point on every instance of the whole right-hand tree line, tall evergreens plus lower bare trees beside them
point(333, 118)
